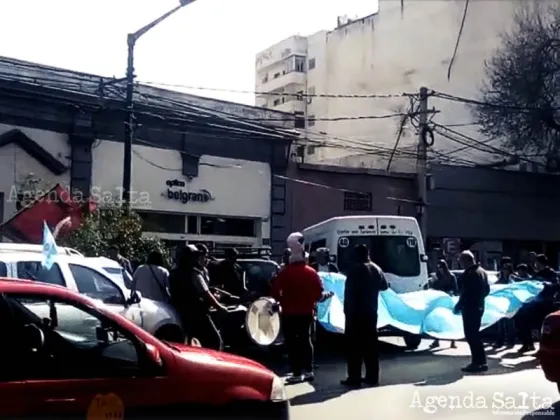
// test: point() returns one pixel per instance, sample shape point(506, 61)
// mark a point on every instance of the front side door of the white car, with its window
point(98, 286)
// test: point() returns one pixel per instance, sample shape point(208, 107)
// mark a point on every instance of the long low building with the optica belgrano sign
point(192, 181)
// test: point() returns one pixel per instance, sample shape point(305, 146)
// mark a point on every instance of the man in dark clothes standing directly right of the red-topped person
point(364, 282)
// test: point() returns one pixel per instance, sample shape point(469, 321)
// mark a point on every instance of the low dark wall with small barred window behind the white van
point(319, 192)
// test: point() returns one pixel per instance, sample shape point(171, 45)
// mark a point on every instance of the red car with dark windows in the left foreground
point(64, 355)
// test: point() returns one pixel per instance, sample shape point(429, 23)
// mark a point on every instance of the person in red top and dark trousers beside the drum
point(298, 288)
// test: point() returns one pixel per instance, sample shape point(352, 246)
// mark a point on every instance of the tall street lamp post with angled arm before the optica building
point(129, 123)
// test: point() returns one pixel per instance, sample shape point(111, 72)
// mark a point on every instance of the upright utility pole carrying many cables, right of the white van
point(421, 163)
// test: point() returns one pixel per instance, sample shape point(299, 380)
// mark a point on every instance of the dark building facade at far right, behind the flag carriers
point(494, 213)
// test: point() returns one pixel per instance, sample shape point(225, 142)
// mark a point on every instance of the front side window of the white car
point(96, 286)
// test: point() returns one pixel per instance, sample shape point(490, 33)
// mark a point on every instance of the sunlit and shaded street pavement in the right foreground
point(424, 384)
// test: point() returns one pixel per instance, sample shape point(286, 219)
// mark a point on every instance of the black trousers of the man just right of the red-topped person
point(360, 332)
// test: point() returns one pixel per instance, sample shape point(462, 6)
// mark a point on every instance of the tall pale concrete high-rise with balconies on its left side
point(390, 52)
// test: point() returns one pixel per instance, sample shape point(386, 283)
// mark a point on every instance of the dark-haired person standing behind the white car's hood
point(151, 279)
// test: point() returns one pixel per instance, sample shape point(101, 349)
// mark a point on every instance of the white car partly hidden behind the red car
point(90, 277)
